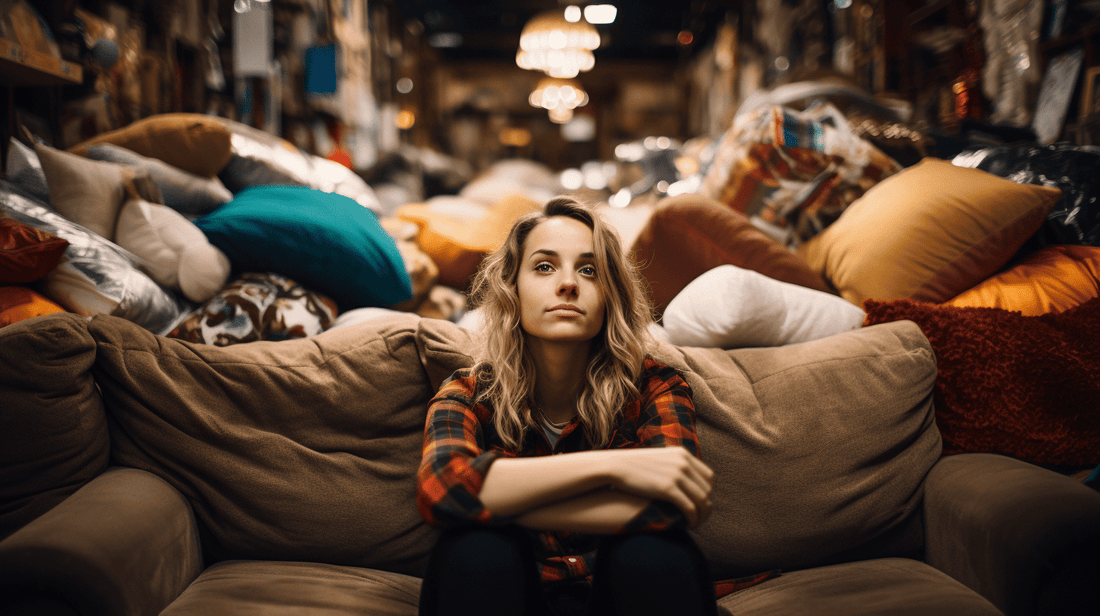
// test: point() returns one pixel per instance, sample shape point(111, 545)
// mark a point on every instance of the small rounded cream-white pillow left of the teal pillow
point(175, 252)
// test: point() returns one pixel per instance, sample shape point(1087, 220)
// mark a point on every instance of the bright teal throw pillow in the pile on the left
point(327, 243)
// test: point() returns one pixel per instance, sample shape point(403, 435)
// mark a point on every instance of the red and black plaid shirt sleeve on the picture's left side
point(455, 459)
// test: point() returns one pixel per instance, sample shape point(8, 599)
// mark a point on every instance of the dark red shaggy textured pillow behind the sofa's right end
point(1022, 387)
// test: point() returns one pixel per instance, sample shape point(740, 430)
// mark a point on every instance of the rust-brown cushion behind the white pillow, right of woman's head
point(690, 235)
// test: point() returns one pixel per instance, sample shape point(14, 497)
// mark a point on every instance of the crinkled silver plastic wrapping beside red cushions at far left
point(95, 276)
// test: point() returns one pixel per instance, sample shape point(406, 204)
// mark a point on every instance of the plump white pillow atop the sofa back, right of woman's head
point(730, 307)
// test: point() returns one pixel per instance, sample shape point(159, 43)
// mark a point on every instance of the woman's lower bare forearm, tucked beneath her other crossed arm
point(603, 512)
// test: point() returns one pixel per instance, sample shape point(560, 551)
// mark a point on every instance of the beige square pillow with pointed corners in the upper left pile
point(89, 193)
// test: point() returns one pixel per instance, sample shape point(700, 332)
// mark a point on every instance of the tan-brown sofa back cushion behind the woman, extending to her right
point(821, 448)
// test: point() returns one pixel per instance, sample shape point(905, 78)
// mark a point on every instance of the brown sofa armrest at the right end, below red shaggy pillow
point(1026, 538)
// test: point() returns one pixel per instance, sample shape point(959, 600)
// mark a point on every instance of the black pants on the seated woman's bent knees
point(491, 571)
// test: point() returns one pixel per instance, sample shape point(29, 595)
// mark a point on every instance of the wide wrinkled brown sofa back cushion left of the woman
point(294, 450)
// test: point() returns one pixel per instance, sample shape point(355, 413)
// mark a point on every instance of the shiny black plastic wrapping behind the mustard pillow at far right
point(1075, 219)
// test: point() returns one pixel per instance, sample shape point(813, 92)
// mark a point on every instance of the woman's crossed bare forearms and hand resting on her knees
point(553, 492)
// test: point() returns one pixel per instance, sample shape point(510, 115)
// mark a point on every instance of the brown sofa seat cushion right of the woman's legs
point(894, 586)
